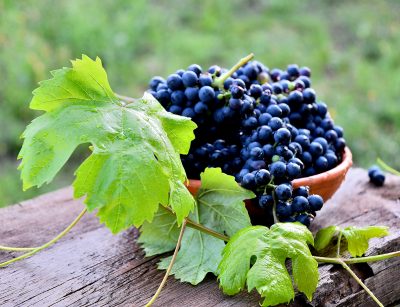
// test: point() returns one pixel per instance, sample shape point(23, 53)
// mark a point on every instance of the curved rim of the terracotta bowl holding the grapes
point(339, 170)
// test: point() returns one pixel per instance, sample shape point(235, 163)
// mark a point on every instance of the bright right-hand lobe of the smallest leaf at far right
point(357, 238)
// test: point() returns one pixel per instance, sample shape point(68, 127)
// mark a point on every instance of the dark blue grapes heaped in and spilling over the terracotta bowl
point(265, 127)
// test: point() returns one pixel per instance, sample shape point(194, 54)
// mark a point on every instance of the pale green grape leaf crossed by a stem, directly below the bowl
point(219, 207)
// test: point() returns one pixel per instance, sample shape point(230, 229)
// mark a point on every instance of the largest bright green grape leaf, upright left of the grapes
point(134, 165)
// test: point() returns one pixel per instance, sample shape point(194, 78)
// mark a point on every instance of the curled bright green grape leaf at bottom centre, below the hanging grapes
point(269, 275)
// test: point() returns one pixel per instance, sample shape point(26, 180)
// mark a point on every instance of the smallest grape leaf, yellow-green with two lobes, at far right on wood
point(357, 237)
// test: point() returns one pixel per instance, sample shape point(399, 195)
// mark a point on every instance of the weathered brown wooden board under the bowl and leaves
point(91, 267)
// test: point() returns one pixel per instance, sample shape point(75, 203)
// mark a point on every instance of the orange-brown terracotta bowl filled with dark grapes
point(324, 184)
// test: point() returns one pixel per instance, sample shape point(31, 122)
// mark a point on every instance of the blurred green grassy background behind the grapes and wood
point(351, 46)
